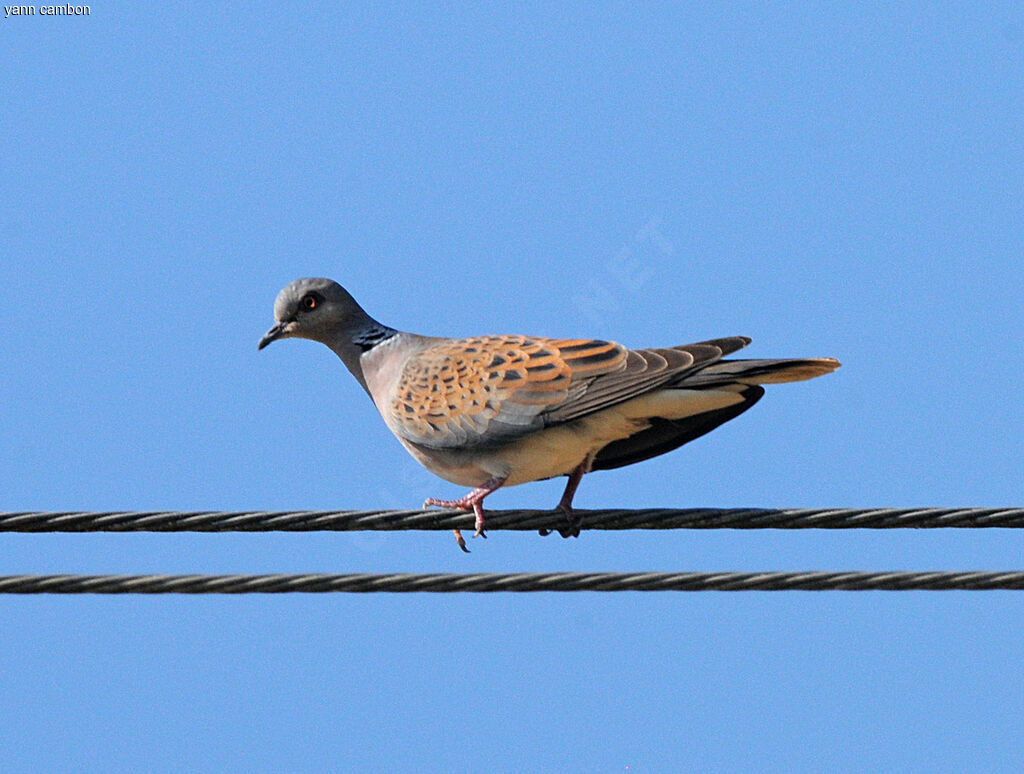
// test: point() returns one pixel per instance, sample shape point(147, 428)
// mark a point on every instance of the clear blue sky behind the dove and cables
point(830, 181)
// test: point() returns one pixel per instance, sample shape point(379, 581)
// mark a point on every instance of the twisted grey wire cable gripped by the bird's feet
point(651, 519)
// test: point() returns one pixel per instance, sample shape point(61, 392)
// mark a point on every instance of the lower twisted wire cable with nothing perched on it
point(529, 582)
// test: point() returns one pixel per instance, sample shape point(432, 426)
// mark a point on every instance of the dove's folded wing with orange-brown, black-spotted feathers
point(494, 390)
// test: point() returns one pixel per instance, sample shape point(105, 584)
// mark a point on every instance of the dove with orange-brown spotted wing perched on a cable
point(488, 412)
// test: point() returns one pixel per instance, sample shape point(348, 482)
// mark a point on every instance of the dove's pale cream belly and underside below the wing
point(558, 451)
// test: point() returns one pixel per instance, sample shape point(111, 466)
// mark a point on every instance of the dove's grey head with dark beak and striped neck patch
point(321, 310)
